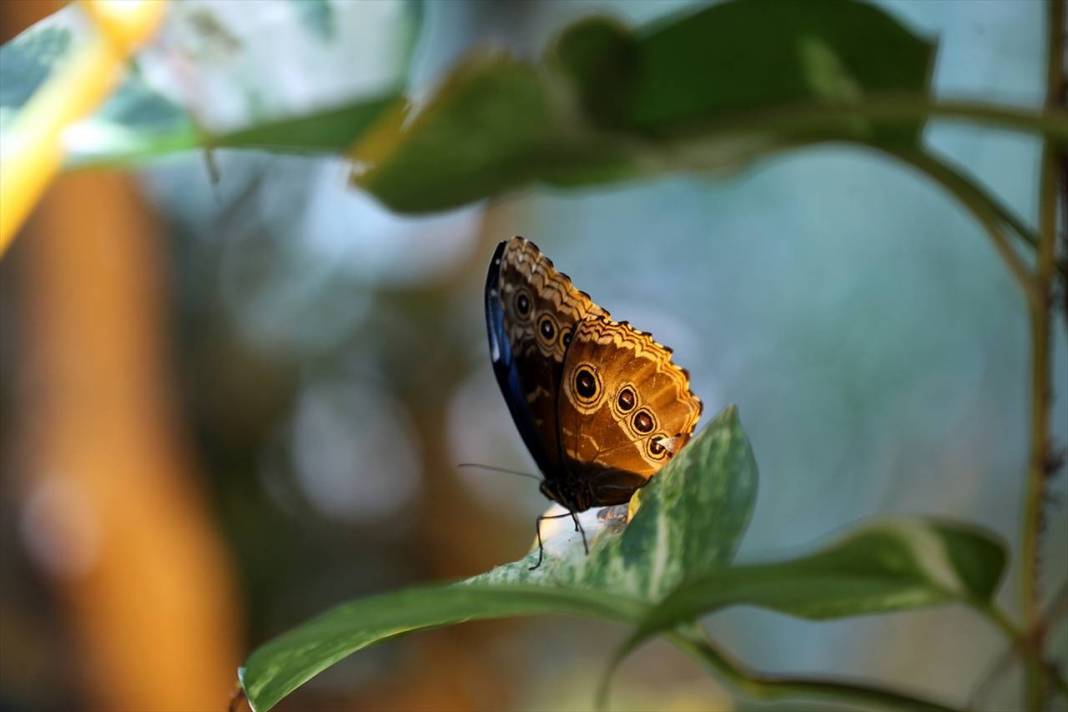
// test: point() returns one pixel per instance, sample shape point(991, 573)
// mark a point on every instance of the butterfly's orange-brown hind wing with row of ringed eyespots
point(624, 408)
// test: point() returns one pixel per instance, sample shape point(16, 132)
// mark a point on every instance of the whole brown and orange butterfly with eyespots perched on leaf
point(599, 404)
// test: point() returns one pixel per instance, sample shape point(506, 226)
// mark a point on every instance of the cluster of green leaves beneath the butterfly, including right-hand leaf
point(669, 566)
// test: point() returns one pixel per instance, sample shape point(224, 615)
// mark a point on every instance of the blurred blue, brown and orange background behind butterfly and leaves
point(227, 407)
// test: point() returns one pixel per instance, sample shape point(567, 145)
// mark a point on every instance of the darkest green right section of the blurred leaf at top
point(756, 55)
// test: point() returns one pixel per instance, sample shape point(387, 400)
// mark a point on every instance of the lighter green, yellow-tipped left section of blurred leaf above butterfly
point(494, 125)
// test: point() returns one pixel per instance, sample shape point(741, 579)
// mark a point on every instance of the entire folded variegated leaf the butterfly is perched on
point(692, 519)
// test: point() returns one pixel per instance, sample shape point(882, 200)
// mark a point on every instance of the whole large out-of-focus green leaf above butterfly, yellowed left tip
point(703, 91)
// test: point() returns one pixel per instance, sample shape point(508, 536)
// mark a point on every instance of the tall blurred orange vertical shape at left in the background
point(113, 509)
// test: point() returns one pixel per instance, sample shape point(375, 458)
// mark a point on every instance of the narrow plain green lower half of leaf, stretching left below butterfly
point(282, 666)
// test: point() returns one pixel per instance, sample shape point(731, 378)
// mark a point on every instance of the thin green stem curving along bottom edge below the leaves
point(767, 687)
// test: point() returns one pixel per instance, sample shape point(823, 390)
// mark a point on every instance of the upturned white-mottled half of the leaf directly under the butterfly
point(692, 520)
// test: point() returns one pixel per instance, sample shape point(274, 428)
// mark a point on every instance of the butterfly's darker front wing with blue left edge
point(531, 310)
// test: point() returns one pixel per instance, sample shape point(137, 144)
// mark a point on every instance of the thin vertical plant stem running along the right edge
point(1041, 386)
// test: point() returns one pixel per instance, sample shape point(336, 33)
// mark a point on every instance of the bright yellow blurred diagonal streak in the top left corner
point(32, 152)
